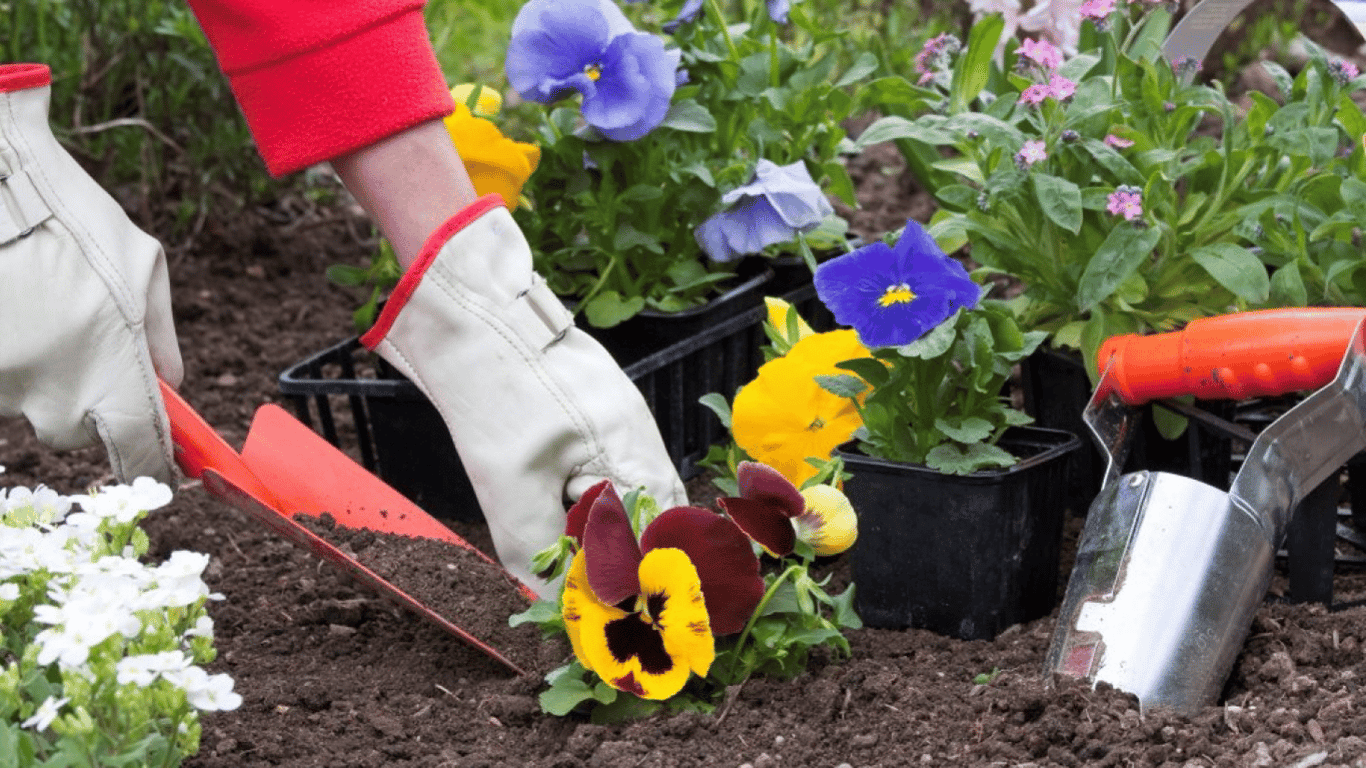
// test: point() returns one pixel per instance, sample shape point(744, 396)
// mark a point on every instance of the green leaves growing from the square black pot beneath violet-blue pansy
point(938, 401)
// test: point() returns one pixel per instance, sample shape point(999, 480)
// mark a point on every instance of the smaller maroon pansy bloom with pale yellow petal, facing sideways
point(775, 515)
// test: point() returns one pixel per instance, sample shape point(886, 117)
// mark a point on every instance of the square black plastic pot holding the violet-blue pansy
point(961, 556)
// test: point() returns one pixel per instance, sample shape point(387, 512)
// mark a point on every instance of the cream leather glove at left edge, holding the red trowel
point(87, 307)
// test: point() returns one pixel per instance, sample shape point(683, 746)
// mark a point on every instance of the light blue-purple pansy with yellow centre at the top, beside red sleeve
point(626, 77)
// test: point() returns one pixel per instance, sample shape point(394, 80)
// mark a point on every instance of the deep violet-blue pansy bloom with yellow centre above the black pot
point(894, 296)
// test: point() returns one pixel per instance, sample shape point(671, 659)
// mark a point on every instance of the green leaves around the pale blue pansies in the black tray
point(613, 223)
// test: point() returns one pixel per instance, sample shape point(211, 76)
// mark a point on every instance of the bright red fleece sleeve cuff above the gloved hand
point(322, 79)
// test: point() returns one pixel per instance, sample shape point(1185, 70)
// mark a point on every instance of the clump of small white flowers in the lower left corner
point(102, 658)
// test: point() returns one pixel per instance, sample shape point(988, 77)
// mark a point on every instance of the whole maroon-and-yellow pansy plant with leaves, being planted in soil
point(666, 610)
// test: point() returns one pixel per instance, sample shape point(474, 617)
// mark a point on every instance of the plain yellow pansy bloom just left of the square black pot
point(785, 416)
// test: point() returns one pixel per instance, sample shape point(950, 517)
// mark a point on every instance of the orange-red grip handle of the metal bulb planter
point(1238, 356)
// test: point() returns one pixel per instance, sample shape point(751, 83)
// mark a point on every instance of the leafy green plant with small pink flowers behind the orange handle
point(1124, 195)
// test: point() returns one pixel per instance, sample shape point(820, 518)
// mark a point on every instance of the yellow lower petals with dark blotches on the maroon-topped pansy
point(651, 653)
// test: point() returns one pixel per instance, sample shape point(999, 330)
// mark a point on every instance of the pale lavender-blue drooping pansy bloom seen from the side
point(781, 203)
